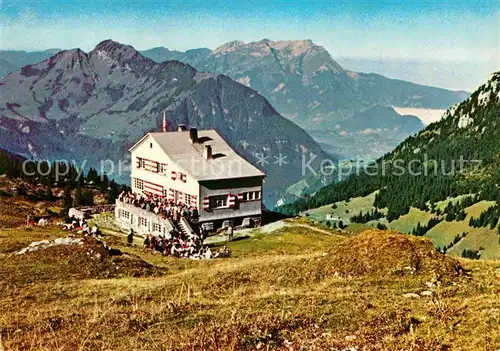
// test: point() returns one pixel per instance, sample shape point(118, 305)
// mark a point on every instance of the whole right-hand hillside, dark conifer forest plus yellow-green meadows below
point(431, 175)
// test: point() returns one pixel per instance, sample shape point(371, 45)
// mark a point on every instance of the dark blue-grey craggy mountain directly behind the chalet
point(93, 106)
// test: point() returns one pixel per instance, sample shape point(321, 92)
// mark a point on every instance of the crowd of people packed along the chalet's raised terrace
point(159, 205)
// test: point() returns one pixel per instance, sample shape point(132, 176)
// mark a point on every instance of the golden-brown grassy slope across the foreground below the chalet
point(255, 299)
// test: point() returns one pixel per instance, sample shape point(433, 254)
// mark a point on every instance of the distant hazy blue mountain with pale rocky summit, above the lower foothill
point(303, 82)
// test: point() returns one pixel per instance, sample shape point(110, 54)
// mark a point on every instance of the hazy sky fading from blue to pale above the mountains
point(444, 31)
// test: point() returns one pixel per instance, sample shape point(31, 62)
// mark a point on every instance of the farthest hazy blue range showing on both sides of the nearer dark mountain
point(306, 85)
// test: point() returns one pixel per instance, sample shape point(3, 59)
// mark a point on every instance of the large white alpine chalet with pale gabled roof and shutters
point(195, 168)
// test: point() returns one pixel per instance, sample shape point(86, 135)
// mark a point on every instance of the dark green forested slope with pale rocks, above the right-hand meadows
point(458, 155)
